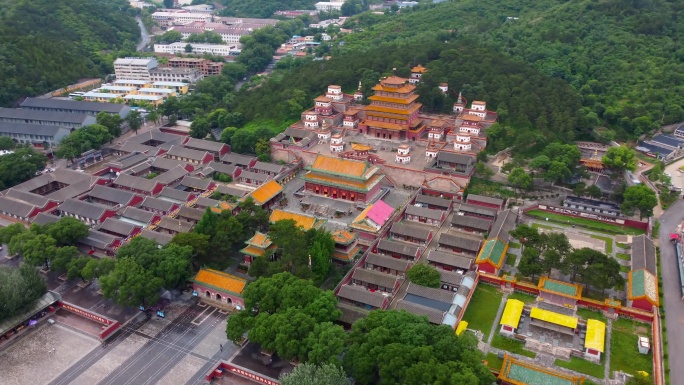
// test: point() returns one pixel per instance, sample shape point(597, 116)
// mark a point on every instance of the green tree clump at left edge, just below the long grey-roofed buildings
point(20, 166)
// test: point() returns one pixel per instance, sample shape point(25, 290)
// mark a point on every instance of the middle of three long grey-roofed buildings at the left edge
point(48, 118)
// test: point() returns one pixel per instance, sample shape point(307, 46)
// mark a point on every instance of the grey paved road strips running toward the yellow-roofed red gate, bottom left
point(161, 353)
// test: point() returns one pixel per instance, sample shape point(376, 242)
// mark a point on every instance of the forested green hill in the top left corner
point(47, 44)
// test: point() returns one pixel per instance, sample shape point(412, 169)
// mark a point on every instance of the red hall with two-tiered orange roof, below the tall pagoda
point(343, 179)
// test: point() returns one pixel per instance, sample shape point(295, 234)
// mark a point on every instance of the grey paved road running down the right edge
point(674, 306)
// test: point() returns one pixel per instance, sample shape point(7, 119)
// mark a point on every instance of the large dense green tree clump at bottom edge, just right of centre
point(397, 347)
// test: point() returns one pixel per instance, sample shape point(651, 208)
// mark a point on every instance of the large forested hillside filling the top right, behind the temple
point(625, 57)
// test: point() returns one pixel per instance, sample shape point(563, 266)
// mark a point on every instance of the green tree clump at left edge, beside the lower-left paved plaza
point(19, 288)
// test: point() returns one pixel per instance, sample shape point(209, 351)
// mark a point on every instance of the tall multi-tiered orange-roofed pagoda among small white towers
point(393, 112)
